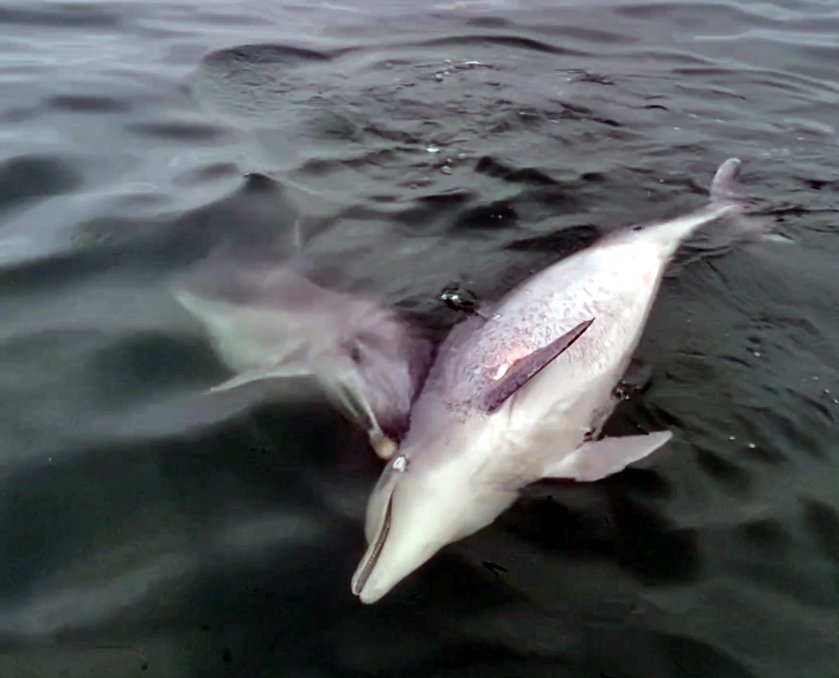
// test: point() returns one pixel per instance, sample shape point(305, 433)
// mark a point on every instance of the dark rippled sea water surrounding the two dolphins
point(148, 531)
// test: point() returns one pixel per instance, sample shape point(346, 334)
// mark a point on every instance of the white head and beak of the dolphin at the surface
point(418, 506)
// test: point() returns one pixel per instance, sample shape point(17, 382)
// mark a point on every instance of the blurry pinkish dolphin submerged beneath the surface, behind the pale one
point(273, 322)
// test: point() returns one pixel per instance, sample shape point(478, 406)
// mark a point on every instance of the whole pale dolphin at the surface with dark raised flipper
point(520, 394)
